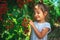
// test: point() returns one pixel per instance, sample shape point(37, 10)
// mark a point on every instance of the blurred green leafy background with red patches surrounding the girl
point(12, 13)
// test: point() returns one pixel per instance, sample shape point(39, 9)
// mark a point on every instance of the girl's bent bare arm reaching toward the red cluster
point(39, 34)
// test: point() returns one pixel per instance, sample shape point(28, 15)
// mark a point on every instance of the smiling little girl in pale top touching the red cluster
point(40, 28)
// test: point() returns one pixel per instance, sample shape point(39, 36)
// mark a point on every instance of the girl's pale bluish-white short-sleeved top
point(40, 26)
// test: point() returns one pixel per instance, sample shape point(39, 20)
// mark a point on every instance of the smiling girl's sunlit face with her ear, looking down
point(39, 14)
